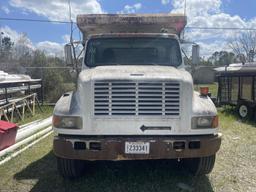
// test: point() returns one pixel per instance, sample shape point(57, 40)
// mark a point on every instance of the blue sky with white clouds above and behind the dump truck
point(221, 13)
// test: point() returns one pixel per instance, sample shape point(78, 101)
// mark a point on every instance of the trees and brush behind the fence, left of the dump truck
point(19, 58)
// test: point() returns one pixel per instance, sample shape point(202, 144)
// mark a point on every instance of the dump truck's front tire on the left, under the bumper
point(70, 168)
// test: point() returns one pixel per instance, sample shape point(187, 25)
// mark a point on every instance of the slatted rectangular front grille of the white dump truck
point(113, 98)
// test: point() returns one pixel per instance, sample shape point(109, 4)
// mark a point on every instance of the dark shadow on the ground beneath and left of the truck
point(157, 175)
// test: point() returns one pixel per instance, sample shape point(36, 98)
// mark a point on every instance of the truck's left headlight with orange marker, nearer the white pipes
point(70, 122)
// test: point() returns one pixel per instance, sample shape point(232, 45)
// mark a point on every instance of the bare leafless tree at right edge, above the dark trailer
point(244, 45)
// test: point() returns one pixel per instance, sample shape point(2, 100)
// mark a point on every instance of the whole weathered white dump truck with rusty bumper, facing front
point(134, 99)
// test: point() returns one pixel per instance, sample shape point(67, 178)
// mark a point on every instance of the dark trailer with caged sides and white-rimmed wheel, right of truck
point(237, 87)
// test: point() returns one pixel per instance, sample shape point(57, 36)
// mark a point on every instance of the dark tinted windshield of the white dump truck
point(133, 51)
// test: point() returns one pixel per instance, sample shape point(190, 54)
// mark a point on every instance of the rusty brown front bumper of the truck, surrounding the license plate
point(113, 147)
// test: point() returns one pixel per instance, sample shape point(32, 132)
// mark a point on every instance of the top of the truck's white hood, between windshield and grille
point(134, 72)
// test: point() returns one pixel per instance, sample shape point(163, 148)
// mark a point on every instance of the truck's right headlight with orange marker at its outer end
point(205, 122)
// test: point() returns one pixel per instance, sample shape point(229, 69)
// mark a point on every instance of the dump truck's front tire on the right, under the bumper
point(200, 166)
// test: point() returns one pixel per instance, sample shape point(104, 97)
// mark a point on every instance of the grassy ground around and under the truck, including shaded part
point(35, 169)
